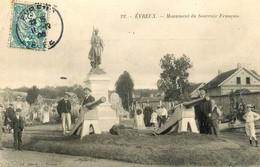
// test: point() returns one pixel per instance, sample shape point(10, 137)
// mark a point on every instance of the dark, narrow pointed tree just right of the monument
point(124, 87)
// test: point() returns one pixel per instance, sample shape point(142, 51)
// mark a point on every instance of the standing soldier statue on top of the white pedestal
point(96, 50)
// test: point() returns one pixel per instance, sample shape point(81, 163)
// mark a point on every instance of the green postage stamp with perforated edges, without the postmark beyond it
point(29, 26)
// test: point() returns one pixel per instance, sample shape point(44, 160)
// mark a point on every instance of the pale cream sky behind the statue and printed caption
point(134, 44)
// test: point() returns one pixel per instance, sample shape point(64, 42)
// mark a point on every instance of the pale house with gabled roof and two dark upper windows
point(234, 80)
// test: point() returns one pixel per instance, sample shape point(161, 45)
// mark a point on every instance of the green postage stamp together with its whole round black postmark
point(31, 26)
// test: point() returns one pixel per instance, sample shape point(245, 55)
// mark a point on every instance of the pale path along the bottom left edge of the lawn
point(12, 158)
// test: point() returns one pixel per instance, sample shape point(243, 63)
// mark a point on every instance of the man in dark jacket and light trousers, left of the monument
point(64, 108)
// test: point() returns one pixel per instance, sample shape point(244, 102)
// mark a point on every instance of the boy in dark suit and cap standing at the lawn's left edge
point(18, 126)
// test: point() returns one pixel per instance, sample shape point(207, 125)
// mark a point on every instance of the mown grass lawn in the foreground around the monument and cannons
point(140, 147)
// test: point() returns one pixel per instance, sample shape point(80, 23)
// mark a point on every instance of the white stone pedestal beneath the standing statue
point(99, 85)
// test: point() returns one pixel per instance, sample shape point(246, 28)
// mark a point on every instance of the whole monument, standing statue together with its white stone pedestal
point(98, 81)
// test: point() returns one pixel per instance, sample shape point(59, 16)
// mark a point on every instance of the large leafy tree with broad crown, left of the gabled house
point(174, 78)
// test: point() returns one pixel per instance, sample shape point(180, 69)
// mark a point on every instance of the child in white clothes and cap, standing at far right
point(250, 117)
